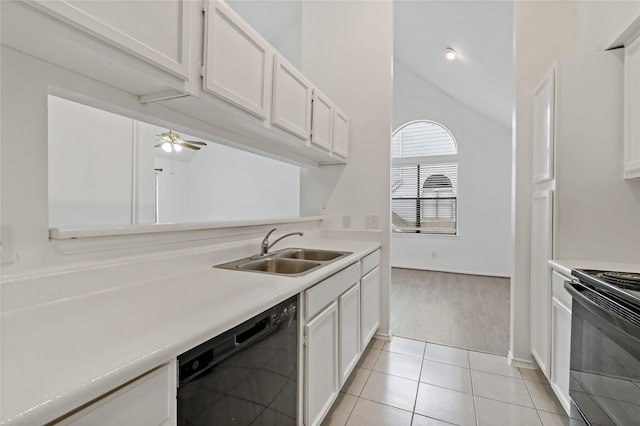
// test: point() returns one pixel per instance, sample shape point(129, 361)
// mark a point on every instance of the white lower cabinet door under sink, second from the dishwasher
point(349, 309)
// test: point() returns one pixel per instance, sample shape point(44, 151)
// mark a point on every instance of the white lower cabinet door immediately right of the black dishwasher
point(321, 365)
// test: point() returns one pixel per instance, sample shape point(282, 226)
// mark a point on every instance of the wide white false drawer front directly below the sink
point(325, 292)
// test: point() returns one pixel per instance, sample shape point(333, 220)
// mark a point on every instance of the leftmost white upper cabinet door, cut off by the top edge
point(155, 31)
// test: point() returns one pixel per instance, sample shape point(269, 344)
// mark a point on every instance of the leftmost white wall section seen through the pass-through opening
point(97, 190)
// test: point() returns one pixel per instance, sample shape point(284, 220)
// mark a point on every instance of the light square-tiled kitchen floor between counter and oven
point(410, 382)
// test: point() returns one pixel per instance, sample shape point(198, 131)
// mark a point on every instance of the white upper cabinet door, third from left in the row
point(291, 99)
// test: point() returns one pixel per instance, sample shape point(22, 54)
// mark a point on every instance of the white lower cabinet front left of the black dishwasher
point(147, 400)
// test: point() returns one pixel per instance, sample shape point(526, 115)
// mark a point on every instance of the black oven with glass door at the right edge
point(605, 350)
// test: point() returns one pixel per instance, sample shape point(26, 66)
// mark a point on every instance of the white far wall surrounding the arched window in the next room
point(484, 184)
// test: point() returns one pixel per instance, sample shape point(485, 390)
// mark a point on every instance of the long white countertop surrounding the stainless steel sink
point(59, 355)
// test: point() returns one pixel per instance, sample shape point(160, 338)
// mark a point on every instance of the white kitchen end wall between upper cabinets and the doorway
point(347, 50)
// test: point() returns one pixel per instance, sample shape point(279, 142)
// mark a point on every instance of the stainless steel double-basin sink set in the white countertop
point(289, 262)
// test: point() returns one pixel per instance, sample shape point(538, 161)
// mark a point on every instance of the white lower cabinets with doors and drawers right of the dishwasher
point(335, 335)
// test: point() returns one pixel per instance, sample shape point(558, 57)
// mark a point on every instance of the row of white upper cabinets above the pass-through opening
point(160, 50)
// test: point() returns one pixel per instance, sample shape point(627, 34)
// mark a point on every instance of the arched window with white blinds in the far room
point(424, 179)
